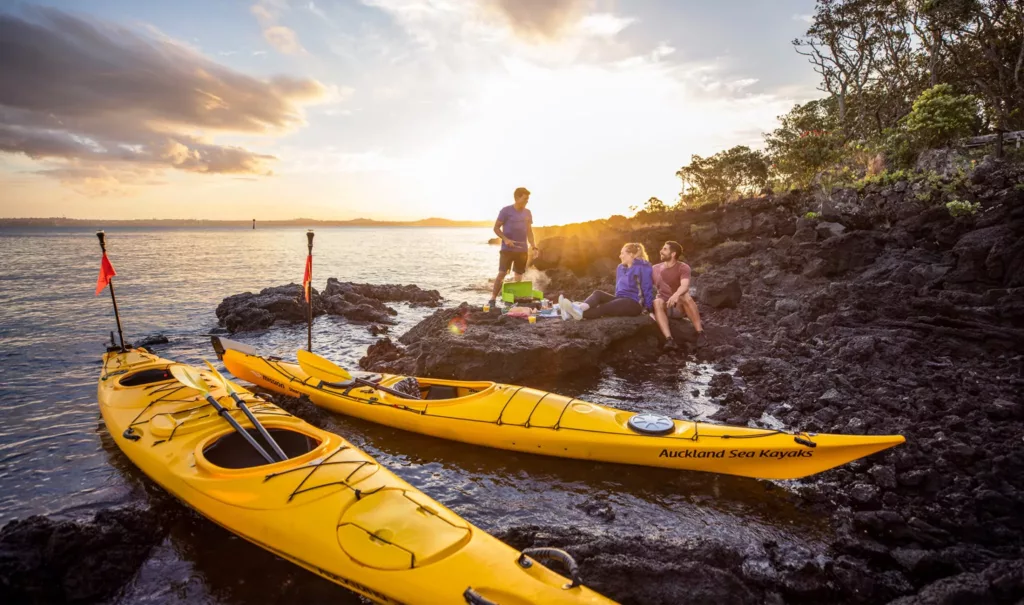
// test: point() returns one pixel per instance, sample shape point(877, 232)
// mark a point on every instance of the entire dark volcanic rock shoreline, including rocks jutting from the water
point(884, 314)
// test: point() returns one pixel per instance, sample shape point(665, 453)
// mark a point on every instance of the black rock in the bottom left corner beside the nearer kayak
point(47, 561)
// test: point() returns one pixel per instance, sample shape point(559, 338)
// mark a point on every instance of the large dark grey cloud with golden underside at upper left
point(108, 101)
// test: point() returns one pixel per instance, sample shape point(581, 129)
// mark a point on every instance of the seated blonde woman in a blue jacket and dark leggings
point(634, 290)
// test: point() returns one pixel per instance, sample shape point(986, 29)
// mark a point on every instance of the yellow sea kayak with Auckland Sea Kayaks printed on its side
point(522, 419)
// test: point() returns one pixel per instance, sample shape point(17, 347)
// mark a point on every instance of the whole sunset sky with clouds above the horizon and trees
point(391, 110)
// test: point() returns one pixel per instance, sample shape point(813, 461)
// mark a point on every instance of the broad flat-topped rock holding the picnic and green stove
point(474, 345)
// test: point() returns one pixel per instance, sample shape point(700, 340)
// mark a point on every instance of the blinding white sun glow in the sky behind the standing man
point(588, 141)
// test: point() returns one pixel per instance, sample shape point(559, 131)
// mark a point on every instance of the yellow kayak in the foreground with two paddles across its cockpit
point(328, 507)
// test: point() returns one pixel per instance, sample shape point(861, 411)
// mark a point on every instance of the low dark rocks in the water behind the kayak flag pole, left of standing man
point(359, 302)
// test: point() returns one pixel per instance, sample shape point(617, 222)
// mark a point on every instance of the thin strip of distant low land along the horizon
point(296, 223)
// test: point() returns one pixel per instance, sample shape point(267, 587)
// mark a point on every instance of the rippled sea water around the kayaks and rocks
point(57, 458)
